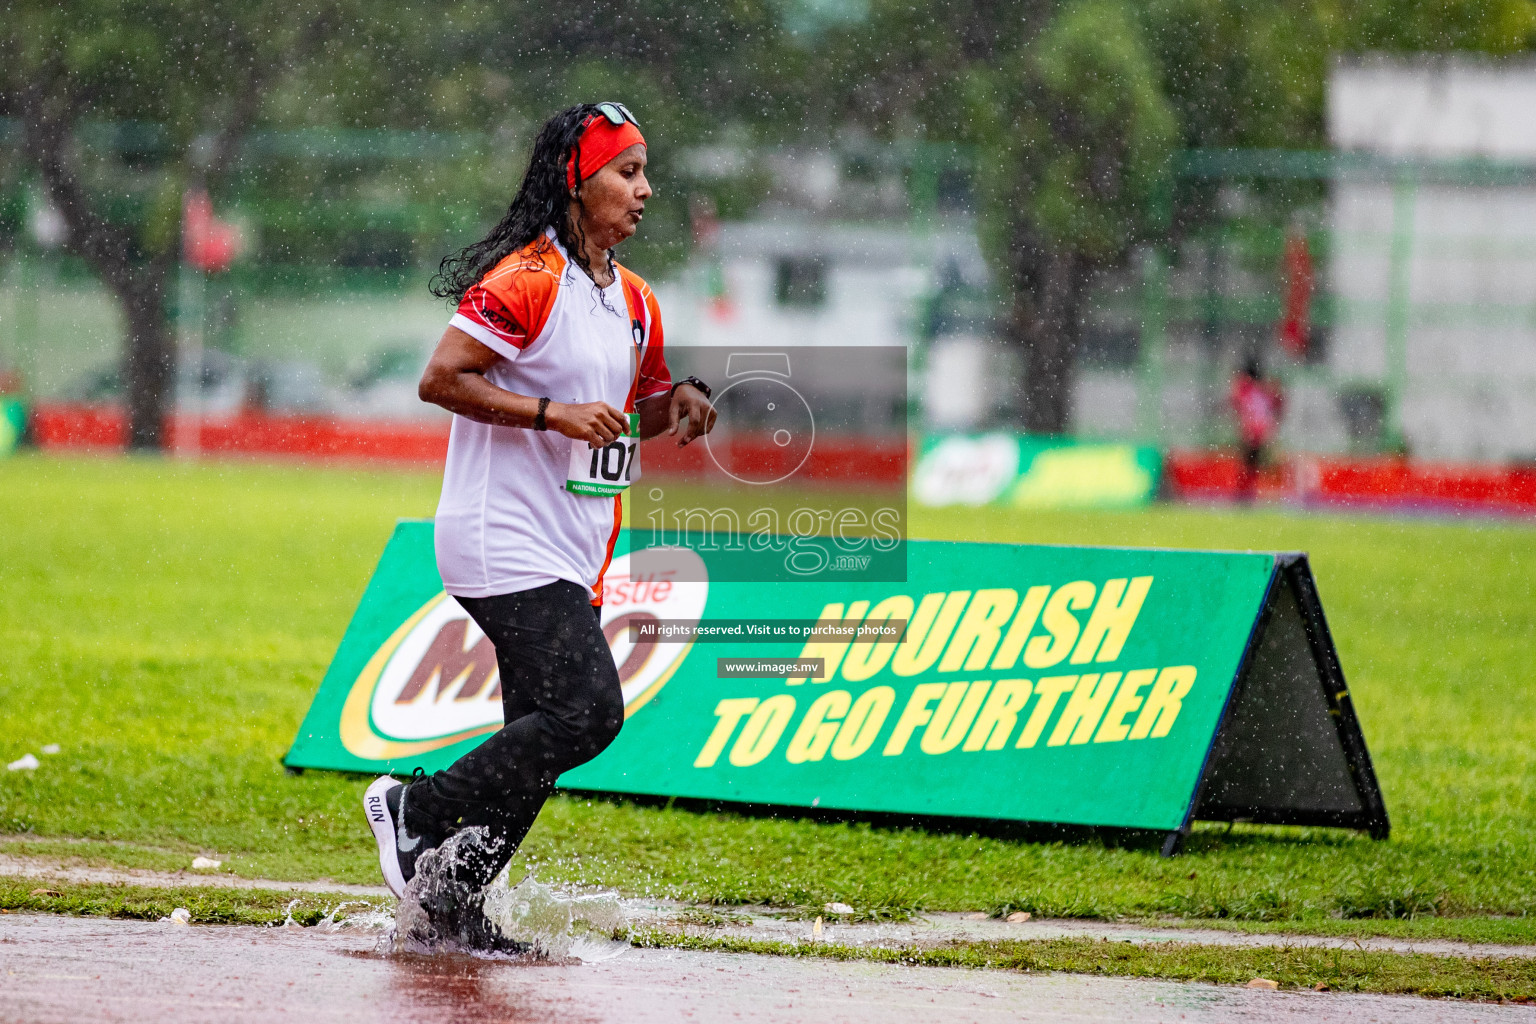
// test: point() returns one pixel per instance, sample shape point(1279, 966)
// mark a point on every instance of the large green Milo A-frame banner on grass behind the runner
point(1107, 687)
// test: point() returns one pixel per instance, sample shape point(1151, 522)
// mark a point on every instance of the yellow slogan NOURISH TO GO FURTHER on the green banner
point(1061, 636)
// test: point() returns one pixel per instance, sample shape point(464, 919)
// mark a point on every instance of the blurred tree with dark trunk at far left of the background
point(190, 81)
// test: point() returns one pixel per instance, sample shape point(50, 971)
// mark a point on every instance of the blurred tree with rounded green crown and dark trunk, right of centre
point(1076, 134)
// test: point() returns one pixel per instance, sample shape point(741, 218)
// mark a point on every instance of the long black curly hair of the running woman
point(543, 202)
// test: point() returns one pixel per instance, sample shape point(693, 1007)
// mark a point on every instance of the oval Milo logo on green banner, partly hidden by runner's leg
point(435, 681)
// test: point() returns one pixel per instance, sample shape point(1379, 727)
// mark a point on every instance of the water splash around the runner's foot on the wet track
point(528, 922)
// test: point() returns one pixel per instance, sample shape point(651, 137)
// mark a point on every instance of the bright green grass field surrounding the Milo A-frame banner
point(167, 624)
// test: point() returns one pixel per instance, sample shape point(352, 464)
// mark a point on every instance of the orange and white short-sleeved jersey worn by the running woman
point(506, 521)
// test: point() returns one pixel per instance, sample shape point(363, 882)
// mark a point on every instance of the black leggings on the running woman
point(561, 705)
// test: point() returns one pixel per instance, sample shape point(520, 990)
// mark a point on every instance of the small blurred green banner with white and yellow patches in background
point(1031, 472)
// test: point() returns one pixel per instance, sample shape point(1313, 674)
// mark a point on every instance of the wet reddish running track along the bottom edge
point(82, 971)
